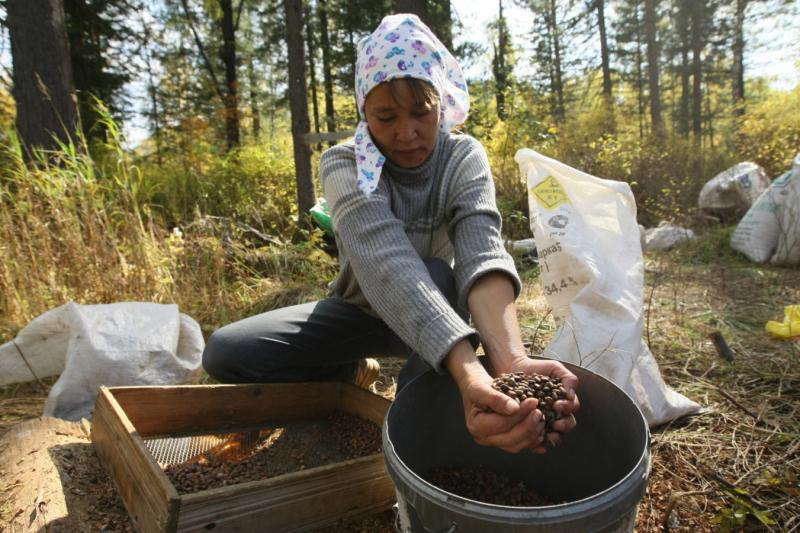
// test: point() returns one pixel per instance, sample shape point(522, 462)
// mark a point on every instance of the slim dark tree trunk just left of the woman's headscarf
point(298, 105)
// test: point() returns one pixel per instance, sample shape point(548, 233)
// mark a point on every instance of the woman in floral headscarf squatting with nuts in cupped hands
point(408, 199)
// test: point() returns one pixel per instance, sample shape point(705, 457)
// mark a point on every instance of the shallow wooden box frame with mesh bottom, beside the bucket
point(125, 416)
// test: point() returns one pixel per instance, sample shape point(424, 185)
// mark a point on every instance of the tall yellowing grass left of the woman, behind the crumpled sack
point(74, 228)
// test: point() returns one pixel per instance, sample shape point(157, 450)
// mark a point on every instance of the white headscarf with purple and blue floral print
point(404, 47)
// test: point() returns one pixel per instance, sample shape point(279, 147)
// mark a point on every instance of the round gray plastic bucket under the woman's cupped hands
point(599, 469)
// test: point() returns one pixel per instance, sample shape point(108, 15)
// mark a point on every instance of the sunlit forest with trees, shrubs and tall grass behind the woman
point(209, 208)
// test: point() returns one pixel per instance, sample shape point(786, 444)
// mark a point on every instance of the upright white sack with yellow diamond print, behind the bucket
point(593, 277)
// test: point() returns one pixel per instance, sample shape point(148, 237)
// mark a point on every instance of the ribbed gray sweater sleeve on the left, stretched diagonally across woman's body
point(390, 273)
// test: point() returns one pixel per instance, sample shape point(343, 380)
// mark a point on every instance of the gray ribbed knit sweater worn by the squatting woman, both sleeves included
point(444, 208)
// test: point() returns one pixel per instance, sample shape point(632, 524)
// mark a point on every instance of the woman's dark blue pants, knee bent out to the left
point(316, 341)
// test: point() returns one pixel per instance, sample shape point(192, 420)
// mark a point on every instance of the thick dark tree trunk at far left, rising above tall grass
point(42, 73)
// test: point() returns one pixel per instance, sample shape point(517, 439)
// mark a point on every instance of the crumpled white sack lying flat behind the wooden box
point(127, 343)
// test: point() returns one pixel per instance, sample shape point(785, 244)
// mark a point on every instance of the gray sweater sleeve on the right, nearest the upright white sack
point(475, 222)
